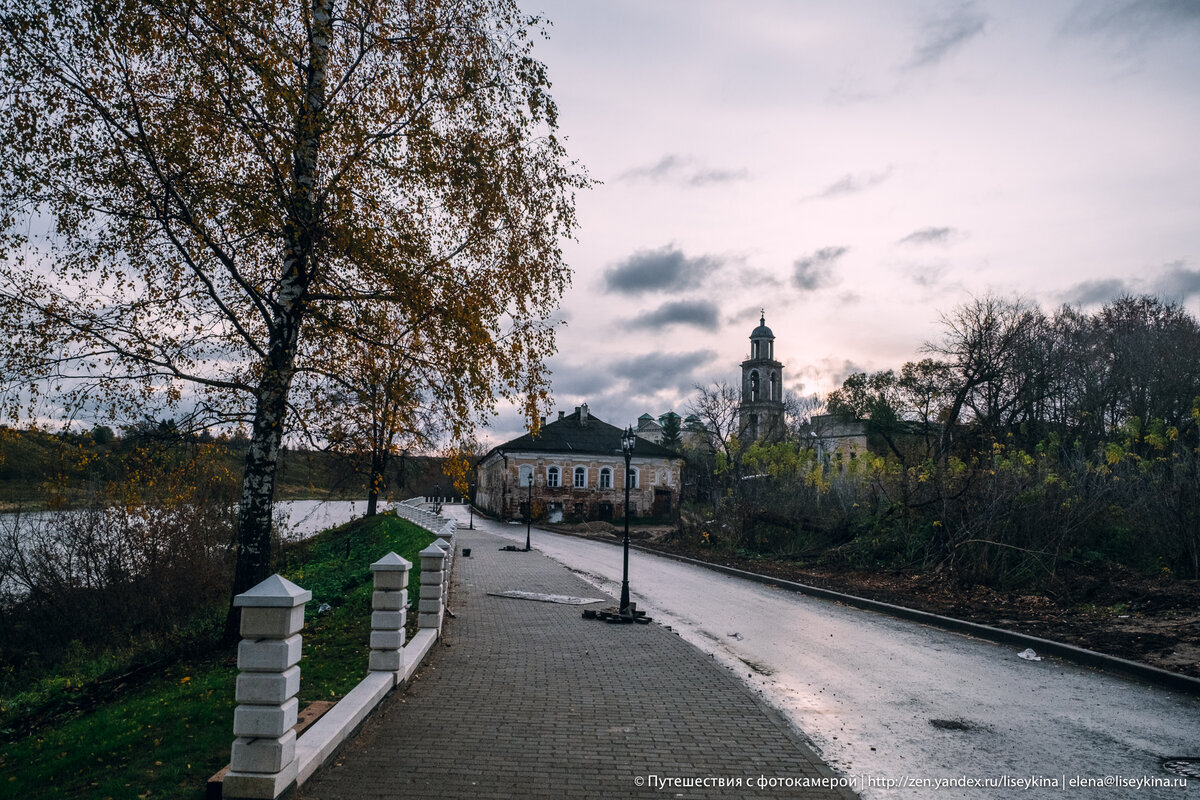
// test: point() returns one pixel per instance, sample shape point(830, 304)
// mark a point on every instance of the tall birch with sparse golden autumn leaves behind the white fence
point(197, 194)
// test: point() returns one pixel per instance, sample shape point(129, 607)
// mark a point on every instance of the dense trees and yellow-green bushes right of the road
point(1022, 444)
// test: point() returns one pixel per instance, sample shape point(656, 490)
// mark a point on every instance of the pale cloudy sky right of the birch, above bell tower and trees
point(854, 170)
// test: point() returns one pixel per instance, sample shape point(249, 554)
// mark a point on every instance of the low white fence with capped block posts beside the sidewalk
point(268, 756)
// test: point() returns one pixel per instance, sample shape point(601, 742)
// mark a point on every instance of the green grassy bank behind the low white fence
point(166, 735)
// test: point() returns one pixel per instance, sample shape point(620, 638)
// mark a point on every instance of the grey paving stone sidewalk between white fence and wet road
point(527, 700)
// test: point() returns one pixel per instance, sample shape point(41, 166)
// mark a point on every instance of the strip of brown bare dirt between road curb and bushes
point(1108, 609)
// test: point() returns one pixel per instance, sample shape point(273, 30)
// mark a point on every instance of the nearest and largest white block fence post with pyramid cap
point(263, 761)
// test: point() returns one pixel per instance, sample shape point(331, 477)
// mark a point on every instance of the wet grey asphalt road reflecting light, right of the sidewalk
point(903, 707)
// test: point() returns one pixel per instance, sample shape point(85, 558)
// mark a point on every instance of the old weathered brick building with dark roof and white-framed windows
point(578, 473)
